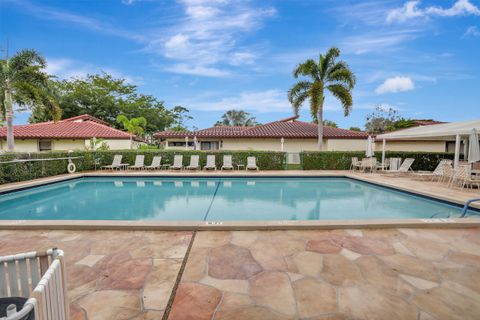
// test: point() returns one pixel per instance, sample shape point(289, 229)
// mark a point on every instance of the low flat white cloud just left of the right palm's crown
point(273, 100)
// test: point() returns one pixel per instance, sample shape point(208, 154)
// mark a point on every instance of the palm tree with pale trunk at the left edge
point(23, 83)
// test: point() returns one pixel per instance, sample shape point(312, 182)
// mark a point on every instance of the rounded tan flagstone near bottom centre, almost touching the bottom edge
point(273, 290)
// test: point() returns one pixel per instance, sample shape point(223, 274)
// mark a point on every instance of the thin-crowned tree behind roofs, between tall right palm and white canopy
point(385, 119)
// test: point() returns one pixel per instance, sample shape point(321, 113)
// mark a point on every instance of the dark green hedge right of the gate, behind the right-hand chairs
point(339, 160)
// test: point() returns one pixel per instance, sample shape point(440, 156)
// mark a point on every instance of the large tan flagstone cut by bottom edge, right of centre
point(368, 302)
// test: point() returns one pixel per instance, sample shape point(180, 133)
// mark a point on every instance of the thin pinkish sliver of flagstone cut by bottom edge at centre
point(251, 313)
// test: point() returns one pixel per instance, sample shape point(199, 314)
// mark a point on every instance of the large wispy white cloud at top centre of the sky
point(206, 37)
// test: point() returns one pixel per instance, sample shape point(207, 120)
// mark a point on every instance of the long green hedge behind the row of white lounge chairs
point(21, 171)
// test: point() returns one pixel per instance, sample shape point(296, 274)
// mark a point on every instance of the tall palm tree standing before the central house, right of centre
point(334, 76)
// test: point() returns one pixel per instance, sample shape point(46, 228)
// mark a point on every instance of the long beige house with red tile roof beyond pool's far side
point(289, 135)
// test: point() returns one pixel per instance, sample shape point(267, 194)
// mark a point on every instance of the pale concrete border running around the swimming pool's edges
point(405, 183)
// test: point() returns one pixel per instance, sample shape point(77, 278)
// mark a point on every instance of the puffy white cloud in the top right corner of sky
point(411, 10)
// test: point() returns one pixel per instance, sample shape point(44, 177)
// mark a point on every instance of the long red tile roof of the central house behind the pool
point(285, 128)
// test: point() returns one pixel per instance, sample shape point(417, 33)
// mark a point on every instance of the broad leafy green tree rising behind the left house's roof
point(106, 97)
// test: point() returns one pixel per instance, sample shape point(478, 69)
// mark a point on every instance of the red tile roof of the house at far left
point(80, 127)
